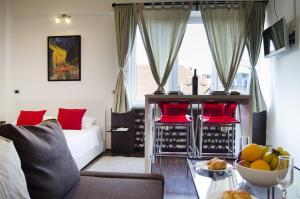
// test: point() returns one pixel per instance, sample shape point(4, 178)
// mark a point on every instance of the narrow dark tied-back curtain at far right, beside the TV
point(253, 43)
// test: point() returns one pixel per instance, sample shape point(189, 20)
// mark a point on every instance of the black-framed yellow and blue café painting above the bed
point(64, 63)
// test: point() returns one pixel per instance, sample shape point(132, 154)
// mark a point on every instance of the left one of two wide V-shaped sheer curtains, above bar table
point(162, 29)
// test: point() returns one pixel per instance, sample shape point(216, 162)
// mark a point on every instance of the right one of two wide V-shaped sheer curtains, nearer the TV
point(226, 29)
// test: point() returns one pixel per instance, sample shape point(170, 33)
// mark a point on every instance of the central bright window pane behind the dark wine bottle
point(195, 54)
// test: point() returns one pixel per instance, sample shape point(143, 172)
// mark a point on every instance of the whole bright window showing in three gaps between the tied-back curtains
point(194, 53)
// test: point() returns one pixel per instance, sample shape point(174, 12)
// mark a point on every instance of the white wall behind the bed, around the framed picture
point(31, 22)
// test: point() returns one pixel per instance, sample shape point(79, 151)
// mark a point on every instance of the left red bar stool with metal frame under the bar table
point(173, 114)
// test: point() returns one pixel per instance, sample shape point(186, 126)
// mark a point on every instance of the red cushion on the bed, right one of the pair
point(70, 118)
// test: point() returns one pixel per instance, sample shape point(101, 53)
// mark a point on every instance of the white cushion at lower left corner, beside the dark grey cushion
point(12, 179)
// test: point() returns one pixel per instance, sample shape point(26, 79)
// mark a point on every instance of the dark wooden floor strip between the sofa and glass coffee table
point(177, 185)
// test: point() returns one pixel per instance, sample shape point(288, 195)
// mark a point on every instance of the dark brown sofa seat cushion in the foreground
point(95, 185)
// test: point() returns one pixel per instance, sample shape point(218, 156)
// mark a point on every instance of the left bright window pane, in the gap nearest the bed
point(145, 83)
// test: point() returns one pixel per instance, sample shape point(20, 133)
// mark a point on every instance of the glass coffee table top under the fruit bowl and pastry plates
point(211, 185)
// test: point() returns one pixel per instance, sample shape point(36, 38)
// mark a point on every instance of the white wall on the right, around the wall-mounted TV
point(284, 105)
